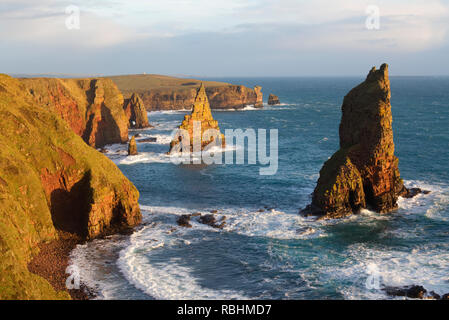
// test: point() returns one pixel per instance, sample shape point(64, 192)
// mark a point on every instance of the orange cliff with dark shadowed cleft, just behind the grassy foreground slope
point(93, 108)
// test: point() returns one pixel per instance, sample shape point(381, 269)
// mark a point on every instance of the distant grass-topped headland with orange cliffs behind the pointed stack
point(169, 93)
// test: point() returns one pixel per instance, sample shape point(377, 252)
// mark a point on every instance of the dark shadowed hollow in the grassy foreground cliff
point(70, 209)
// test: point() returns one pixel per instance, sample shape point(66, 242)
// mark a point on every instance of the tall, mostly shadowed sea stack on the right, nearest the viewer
point(364, 172)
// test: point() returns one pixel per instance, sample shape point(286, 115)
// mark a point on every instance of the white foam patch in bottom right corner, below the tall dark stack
point(424, 266)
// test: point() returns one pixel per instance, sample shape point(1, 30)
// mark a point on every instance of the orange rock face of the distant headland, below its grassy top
point(223, 97)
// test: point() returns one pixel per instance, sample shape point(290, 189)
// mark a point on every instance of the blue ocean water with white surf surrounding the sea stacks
point(266, 250)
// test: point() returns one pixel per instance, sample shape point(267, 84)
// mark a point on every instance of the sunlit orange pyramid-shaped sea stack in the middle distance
point(201, 115)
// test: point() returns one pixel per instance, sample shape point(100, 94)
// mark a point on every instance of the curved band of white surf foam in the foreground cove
point(169, 280)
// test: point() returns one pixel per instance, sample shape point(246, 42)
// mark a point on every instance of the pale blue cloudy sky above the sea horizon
point(224, 37)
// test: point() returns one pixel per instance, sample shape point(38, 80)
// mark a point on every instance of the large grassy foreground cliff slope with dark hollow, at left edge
point(50, 181)
